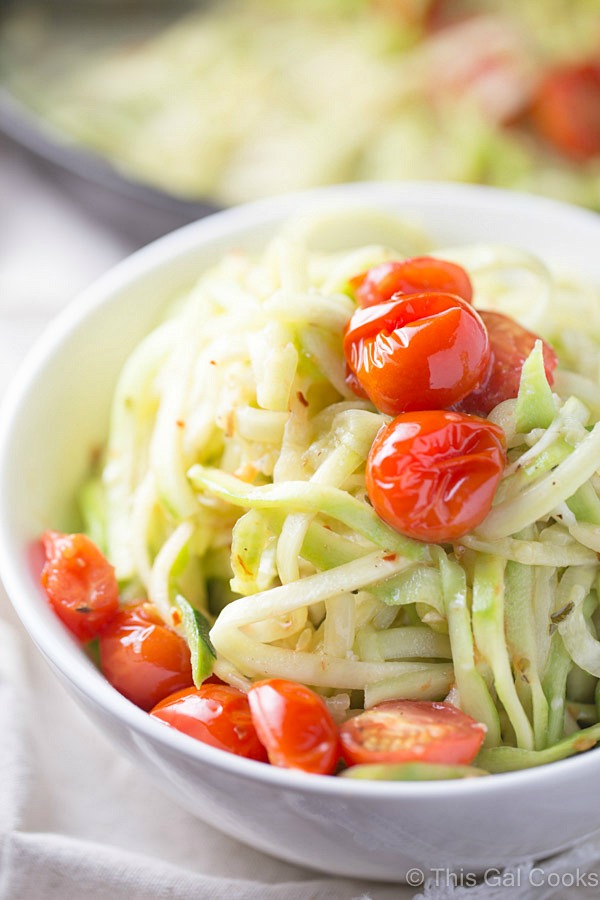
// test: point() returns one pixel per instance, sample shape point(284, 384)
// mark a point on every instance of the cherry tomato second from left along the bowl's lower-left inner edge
point(142, 657)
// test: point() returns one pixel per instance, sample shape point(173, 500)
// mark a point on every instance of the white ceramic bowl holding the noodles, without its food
point(57, 411)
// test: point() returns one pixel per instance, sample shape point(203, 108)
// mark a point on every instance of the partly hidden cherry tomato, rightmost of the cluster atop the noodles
point(510, 345)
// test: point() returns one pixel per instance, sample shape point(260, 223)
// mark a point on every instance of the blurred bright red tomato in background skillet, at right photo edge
point(566, 110)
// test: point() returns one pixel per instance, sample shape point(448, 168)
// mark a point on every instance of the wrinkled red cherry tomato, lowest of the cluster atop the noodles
point(432, 475)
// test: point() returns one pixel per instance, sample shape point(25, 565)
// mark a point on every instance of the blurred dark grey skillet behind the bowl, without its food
point(137, 210)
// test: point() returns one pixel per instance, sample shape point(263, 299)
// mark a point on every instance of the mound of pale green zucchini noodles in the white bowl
point(234, 480)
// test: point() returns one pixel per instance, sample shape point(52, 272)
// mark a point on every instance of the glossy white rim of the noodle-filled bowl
point(71, 661)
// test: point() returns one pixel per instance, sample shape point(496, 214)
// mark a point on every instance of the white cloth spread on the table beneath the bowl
point(77, 820)
